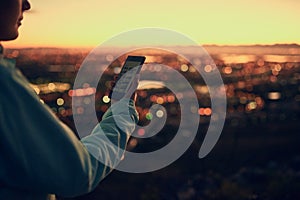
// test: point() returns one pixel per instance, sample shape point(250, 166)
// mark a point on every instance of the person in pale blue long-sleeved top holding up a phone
point(39, 155)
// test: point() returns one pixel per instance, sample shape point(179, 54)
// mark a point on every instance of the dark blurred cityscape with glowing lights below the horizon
point(257, 156)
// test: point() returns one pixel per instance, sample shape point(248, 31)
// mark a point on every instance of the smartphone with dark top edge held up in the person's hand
point(131, 67)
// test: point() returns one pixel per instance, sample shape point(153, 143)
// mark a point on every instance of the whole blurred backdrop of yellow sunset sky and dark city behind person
point(254, 45)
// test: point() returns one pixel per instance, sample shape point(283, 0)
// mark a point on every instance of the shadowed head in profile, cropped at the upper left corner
point(11, 17)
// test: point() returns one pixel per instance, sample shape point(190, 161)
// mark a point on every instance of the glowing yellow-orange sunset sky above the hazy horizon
point(88, 23)
